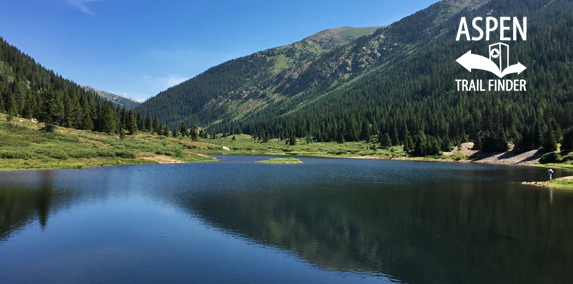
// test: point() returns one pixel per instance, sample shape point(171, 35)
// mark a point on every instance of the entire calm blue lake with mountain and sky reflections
point(324, 221)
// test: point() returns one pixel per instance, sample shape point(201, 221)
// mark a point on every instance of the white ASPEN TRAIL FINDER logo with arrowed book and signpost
point(498, 62)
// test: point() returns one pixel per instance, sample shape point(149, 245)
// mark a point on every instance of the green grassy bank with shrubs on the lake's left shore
point(23, 146)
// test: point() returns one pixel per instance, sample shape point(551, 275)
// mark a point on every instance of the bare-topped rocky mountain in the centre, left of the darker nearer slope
point(235, 88)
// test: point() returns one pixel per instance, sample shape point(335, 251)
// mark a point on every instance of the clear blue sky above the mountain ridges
point(138, 48)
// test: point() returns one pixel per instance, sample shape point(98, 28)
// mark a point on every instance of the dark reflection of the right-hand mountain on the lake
point(465, 233)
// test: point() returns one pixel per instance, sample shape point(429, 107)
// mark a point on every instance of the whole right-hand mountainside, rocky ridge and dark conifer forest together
point(399, 80)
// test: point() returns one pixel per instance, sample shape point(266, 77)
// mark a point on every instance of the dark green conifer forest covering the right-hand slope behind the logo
point(414, 102)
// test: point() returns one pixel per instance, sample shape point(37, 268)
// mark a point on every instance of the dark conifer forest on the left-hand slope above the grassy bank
point(29, 90)
